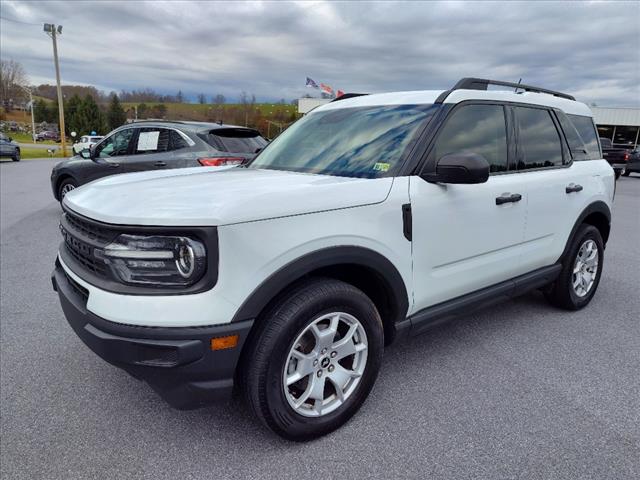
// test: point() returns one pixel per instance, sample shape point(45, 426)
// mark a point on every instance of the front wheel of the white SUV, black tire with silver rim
point(286, 327)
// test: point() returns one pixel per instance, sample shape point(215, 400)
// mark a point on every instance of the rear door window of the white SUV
point(539, 143)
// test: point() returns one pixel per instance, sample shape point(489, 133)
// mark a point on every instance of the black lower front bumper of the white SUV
point(177, 362)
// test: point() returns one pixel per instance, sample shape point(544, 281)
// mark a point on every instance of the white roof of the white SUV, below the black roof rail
point(429, 96)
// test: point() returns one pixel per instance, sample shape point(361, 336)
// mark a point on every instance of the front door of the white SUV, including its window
point(466, 237)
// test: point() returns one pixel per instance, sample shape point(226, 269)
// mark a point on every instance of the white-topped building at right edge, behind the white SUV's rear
point(621, 125)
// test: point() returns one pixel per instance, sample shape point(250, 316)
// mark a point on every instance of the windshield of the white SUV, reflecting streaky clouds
point(364, 142)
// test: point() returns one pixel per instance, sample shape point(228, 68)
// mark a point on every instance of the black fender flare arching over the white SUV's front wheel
point(327, 257)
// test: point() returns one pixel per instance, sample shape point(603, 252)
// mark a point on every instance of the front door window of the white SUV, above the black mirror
point(479, 129)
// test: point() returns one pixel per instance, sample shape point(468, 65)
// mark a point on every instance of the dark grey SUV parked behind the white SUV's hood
point(157, 145)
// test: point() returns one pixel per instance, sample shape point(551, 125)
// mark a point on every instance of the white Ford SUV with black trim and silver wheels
point(373, 217)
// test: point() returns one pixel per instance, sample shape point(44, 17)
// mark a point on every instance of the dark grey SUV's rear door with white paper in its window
point(156, 148)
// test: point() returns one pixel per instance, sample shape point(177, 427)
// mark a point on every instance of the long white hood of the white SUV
point(210, 196)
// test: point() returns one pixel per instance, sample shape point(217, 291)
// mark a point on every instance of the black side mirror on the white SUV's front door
point(464, 168)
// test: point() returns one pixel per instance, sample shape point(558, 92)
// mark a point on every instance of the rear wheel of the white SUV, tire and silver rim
point(562, 292)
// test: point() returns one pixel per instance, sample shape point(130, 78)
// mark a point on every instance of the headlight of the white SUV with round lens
point(155, 260)
